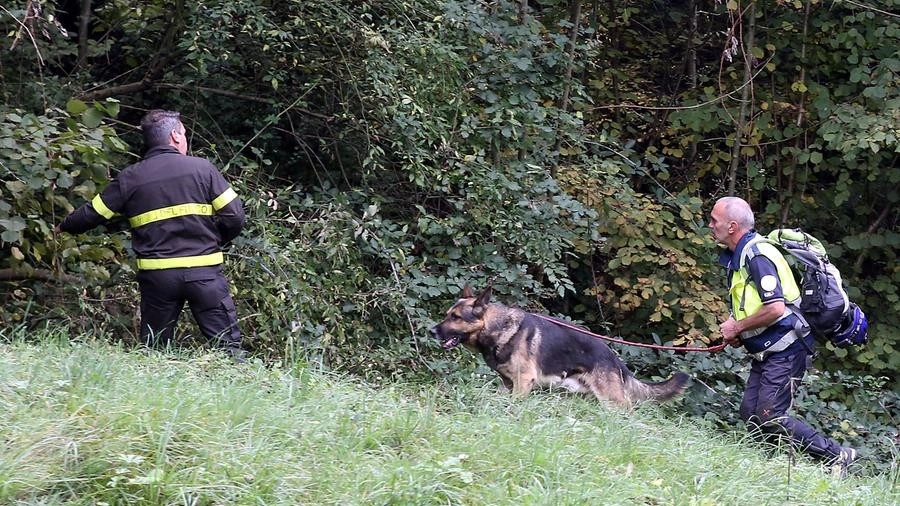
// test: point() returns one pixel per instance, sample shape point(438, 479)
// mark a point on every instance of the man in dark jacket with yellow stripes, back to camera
point(181, 211)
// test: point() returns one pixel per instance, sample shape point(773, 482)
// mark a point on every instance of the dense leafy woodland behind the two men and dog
point(390, 151)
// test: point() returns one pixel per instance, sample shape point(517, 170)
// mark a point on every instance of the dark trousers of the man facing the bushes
point(205, 289)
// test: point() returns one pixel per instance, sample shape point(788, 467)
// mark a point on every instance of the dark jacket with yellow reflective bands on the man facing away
point(180, 208)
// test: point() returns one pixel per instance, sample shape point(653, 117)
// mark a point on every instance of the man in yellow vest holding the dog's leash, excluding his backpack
point(762, 292)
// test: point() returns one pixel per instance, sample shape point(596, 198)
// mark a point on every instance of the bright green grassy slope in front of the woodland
point(92, 424)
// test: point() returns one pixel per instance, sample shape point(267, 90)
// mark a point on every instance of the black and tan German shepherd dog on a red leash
point(528, 351)
